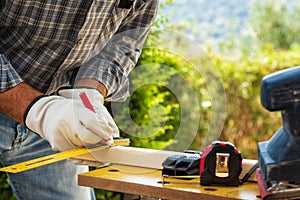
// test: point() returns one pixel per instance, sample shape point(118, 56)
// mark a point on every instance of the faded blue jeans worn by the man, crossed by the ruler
point(56, 181)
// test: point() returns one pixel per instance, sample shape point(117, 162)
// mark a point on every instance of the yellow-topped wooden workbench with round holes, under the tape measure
point(148, 182)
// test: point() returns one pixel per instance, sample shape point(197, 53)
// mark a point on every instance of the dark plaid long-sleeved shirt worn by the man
point(42, 43)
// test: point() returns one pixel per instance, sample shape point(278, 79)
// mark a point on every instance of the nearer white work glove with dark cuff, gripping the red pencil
point(67, 123)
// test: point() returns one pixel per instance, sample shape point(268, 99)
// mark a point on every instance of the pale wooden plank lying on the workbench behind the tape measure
point(147, 158)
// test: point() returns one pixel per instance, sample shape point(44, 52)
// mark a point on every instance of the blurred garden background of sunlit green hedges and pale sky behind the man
point(239, 42)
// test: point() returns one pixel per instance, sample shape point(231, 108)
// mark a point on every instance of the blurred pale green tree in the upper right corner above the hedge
point(276, 22)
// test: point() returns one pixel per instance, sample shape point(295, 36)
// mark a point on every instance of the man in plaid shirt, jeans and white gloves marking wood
point(89, 44)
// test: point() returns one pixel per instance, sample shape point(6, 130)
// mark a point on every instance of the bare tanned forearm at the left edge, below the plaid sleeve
point(14, 101)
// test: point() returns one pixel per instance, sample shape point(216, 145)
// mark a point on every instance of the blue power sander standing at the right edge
point(278, 174)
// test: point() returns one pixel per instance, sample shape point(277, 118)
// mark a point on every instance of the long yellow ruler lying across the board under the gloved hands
point(38, 162)
